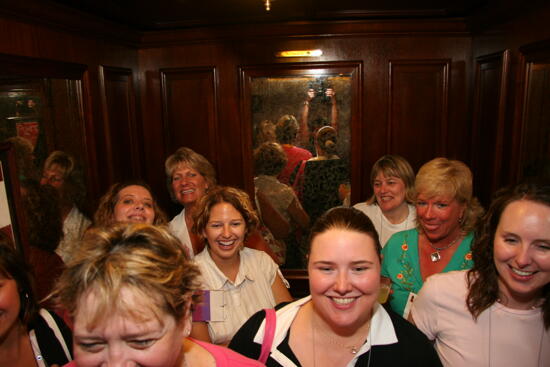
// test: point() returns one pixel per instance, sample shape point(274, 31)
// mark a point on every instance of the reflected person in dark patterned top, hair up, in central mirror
point(317, 181)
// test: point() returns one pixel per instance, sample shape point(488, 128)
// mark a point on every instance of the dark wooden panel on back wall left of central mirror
point(189, 108)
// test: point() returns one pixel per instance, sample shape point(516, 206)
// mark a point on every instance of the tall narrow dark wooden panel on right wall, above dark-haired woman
point(490, 93)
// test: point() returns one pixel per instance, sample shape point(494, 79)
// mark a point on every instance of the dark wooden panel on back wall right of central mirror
point(417, 109)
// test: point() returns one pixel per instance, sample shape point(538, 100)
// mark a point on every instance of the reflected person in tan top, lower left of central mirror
point(269, 160)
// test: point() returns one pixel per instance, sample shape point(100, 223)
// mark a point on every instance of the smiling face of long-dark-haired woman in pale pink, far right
point(522, 252)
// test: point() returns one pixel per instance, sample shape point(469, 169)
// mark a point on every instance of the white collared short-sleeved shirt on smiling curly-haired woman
point(250, 292)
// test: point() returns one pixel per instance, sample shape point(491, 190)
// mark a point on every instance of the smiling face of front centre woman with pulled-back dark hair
point(344, 277)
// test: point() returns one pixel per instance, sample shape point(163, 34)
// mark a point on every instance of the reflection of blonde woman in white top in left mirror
point(60, 171)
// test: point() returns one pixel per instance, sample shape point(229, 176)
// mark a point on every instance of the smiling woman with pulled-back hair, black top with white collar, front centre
point(341, 323)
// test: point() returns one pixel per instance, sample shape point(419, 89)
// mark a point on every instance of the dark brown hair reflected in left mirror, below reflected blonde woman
point(42, 215)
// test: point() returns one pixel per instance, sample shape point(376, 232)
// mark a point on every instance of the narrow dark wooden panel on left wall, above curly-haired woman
point(121, 130)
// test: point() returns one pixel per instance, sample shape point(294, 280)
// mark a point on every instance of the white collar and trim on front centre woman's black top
point(381, 331)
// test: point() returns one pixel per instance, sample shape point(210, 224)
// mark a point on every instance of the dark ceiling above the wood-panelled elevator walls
point(147, 15)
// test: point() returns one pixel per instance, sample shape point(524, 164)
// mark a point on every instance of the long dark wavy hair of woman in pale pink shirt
point(483, 277)
